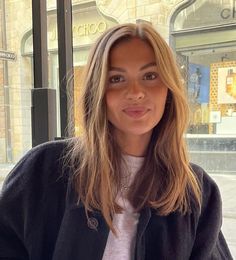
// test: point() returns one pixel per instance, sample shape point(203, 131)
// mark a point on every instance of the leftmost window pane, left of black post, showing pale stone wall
point(15, 81)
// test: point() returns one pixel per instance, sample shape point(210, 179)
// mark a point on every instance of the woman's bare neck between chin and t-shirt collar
point(135, 145)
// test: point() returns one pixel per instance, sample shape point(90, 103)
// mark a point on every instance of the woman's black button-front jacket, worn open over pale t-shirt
point(40, 220)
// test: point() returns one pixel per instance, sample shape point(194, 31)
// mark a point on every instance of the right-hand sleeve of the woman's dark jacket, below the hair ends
point(209, 242)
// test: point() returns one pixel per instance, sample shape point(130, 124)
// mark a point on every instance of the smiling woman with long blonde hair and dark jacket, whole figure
point(126, 189)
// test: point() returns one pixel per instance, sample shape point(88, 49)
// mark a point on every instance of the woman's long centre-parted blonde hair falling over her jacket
point(166, 181)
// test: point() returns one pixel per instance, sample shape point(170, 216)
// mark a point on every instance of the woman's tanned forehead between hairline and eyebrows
point(131, 48)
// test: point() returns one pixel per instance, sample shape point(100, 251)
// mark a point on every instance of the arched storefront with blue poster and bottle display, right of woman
point(204, 38)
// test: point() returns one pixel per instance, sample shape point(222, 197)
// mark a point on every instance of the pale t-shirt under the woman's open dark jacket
point(122, 247)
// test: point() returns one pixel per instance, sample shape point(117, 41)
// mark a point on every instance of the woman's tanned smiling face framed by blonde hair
point(135, 94)
